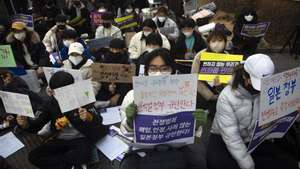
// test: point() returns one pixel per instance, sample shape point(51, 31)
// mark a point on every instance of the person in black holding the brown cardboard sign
point(115, 92)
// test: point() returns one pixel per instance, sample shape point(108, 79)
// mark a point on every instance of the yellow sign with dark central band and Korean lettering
point(215, 64)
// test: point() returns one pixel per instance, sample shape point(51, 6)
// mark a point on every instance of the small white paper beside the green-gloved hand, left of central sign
point(111, 116)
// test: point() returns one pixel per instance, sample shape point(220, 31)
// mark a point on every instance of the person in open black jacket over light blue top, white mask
point(189, 41)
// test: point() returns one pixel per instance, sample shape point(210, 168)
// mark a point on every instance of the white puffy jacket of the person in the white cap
point(237, 113)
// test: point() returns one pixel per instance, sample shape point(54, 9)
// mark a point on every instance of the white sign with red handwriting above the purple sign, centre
point(165, 94)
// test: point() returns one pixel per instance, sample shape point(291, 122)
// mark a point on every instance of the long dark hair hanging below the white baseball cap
point(239, 74)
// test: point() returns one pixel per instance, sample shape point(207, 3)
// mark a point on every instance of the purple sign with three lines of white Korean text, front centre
point(176, 128)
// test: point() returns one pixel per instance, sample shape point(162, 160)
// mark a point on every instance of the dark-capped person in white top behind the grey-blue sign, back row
point(107, 29)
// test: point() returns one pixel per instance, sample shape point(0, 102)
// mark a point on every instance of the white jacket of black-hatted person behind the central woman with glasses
point(137, 45)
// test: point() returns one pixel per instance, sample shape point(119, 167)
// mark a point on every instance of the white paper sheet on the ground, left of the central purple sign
point(111, 147)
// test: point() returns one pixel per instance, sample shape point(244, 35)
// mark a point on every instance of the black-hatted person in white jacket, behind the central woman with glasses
point(137, 45)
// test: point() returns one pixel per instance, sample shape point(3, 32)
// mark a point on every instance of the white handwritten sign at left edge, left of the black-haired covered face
point(15, 103)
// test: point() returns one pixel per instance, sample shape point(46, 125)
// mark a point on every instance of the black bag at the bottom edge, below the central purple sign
point(160, 157)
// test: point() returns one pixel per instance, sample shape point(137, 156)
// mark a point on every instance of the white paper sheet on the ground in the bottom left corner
point(9, 144)
